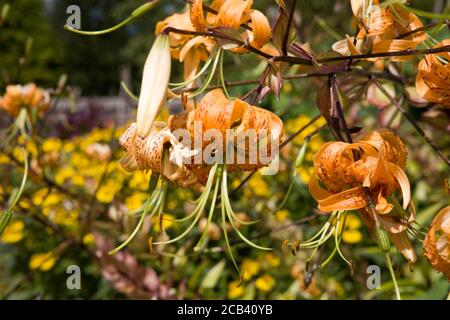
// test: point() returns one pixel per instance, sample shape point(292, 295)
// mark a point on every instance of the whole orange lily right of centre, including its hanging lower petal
point(347, 174)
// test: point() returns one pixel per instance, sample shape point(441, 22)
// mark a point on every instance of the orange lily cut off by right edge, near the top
point(433, 77)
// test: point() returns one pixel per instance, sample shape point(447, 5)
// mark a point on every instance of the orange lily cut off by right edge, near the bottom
point(437, 243)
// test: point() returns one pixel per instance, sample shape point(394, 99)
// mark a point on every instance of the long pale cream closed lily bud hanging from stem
point(155, 80)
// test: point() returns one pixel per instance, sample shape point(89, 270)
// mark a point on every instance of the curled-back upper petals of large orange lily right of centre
point(379, 168)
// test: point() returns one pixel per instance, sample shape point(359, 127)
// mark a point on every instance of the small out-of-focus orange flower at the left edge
point(28, 96)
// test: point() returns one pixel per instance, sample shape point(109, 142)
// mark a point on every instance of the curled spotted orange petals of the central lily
point(240, 119)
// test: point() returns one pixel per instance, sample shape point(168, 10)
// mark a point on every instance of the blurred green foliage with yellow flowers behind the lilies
point(39, 245)
